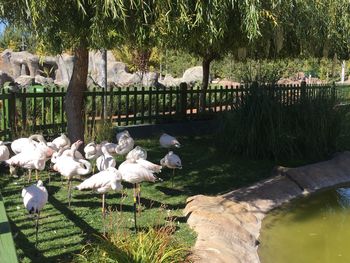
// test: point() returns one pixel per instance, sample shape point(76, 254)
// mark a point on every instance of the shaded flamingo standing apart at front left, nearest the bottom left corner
point(34, 199)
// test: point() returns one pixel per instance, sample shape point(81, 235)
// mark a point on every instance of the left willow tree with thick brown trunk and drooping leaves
point(77, 26)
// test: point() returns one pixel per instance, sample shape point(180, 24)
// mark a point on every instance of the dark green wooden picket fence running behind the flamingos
point(43, 110)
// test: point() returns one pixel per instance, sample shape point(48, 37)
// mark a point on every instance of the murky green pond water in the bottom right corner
point(308, 230)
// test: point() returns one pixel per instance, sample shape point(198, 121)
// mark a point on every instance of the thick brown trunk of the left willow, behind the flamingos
point(74, 100)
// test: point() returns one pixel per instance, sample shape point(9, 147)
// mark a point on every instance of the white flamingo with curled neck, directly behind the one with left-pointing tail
point(68, 166)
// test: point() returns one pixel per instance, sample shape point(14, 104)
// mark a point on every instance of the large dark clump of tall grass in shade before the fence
point(264, 128)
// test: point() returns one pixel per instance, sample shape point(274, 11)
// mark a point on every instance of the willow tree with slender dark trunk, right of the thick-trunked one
point(210, 29)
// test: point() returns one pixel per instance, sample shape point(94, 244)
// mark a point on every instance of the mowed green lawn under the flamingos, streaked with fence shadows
point(64, 231)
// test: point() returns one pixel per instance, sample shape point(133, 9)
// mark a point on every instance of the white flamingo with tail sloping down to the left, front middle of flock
point(102, 182)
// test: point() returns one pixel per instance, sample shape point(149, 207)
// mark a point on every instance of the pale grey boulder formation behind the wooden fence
point(26, 69)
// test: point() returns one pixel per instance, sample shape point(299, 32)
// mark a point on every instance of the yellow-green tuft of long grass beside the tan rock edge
point(146, 246)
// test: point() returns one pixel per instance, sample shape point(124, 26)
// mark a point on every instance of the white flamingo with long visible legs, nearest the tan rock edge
point(137, 172)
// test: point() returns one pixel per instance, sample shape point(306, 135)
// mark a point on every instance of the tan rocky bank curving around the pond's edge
point(228, 226)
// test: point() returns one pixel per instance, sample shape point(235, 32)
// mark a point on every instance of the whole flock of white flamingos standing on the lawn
point(34, 152)
